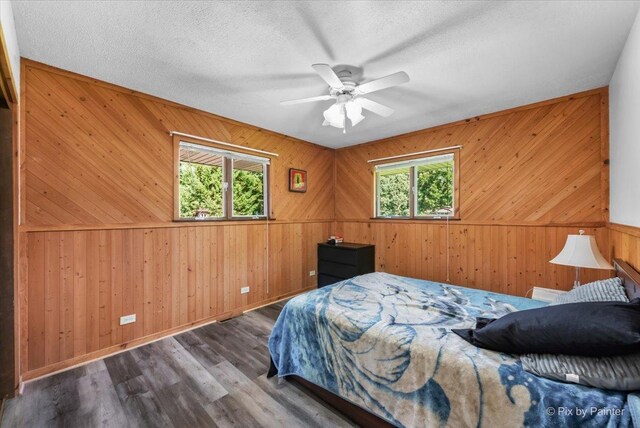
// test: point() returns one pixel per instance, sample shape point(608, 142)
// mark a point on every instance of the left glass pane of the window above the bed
point(393, 193)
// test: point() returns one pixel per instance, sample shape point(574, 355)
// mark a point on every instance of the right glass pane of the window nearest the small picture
point(248, 188)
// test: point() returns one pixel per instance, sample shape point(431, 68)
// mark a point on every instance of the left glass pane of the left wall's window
point(201, 186)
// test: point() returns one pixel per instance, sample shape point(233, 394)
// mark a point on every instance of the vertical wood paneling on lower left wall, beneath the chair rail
point(82, 282)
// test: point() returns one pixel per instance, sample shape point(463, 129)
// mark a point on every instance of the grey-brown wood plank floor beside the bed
point(212, 376)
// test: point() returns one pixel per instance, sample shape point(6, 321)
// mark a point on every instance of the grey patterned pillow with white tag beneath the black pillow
point(620, 373)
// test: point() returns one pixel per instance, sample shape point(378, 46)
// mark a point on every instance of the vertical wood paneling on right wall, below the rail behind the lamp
point(504, 259)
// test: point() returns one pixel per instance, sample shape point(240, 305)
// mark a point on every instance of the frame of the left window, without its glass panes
point(227, 177)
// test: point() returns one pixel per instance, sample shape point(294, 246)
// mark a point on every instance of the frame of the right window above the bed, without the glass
point(413, 194)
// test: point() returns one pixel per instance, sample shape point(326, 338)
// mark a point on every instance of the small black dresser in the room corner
point(343, 261)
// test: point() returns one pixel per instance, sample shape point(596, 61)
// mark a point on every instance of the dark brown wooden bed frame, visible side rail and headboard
point(630, 279)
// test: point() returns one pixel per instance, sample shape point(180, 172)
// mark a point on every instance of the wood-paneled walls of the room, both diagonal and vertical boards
point(97, 240)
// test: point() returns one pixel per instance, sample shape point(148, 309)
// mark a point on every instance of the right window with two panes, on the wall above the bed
point(418, 188)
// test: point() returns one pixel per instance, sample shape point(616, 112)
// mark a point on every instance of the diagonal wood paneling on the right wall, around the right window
point(539, 164)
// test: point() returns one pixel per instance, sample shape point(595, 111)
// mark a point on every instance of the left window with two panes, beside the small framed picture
point(220, 184)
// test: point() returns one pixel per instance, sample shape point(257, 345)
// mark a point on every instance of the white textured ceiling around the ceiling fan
point(239, 59)
